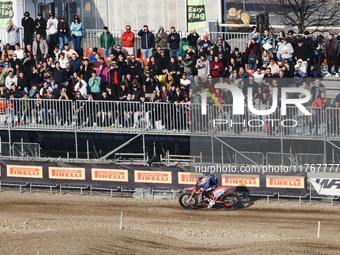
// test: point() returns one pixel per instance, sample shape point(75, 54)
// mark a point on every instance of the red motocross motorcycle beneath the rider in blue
point(223, 196)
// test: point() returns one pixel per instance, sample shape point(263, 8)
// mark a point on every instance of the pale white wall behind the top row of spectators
point(117, 13)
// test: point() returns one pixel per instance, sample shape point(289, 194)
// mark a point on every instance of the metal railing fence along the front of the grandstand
point(166, 118)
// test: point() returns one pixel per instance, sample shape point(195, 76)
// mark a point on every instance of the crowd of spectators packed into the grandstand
point(48, 68)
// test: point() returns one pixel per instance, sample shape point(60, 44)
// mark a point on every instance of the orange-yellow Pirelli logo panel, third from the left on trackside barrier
point(115, 175)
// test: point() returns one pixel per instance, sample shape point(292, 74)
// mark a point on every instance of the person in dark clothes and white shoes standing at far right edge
point(332, 51)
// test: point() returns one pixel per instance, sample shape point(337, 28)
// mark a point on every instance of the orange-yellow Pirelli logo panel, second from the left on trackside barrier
point(66, 173)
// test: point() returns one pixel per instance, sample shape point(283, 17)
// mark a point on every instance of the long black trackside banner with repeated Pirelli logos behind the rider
point(143, 177)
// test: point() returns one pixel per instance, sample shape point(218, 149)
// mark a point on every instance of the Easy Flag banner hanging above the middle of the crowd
point(196, 17)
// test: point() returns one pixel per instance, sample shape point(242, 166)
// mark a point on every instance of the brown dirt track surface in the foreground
point(74, 224)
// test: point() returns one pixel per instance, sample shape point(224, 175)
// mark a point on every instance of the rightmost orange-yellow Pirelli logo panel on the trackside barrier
point(291, 182)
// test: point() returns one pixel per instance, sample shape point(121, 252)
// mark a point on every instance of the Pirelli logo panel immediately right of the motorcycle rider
point(241, 180)
